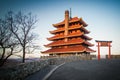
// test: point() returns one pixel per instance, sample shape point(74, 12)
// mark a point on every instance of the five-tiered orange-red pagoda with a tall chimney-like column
point(69, 38)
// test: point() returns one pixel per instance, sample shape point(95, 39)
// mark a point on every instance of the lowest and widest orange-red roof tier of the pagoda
point(73, 49)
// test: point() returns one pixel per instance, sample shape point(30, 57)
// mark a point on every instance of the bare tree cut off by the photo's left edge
point(7, 43)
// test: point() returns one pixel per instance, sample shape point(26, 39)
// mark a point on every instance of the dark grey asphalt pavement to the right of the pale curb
point(88, 70)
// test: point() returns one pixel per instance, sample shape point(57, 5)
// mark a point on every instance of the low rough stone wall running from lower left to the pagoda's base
point(19, 72)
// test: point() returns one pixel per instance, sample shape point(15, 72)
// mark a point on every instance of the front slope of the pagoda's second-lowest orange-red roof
point(62, 42)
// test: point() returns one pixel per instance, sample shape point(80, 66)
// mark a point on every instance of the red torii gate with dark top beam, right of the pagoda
point(104, 44)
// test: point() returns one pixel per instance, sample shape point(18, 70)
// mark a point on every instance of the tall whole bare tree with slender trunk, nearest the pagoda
point(21, 26)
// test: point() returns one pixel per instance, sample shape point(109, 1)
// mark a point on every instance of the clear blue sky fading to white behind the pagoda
point(102, 17)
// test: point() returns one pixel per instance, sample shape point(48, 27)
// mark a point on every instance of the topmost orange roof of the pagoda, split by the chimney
point(74, 19)
